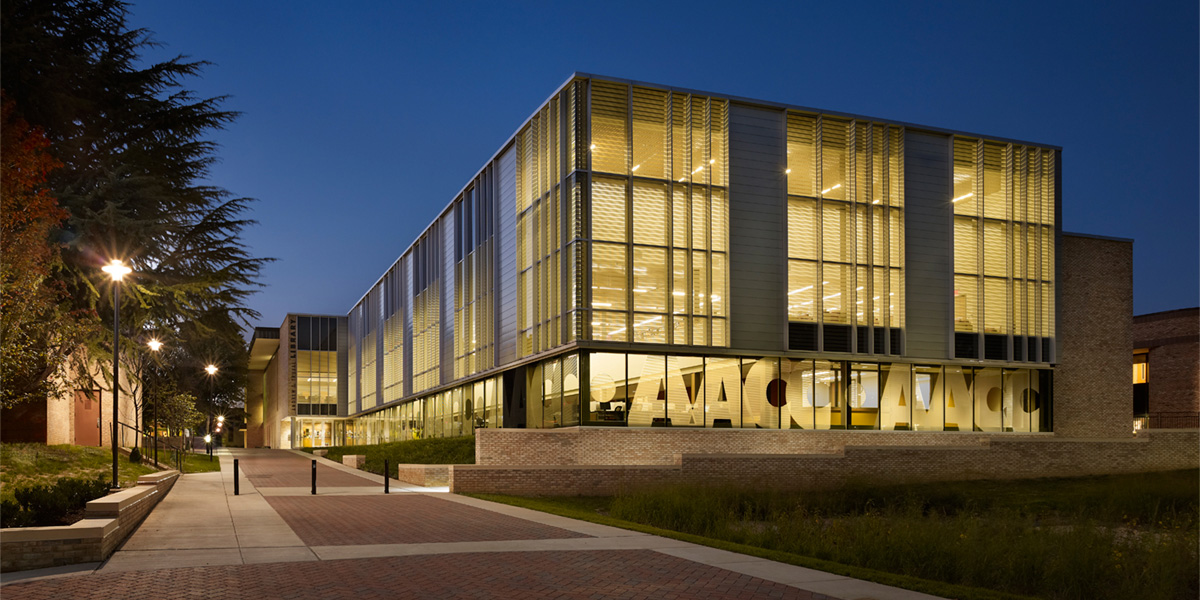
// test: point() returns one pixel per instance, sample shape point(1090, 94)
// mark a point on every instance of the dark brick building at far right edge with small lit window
point(1167, 369)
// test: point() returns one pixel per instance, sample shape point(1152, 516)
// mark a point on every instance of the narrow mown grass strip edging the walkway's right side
point(585, 509)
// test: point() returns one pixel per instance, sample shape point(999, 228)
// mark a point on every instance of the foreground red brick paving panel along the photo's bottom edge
point(638, 574)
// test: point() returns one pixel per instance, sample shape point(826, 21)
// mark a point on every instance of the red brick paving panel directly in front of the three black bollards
point(401, 519)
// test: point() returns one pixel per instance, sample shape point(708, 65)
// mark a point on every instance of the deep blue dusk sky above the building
point(363, 121)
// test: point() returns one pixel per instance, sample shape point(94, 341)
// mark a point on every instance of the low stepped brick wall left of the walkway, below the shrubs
point(107, 523)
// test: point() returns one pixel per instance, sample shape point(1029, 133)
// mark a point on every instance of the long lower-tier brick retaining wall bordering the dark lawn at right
point(995, 458)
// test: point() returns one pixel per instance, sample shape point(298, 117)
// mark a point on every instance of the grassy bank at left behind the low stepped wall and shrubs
point(25, 465)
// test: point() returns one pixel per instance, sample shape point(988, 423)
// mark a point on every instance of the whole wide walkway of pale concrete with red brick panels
point(416, 541)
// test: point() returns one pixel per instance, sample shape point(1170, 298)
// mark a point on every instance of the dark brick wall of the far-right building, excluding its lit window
point(1174, 341)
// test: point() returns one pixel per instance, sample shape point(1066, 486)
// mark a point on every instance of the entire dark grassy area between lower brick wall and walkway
point(1089, 538)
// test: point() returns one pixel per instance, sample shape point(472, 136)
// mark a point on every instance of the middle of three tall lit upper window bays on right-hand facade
point(845, 238)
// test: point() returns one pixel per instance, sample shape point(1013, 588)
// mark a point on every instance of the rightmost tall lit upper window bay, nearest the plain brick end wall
point(1004, 251)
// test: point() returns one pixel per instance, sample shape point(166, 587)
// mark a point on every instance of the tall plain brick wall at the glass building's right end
point(1094, 386)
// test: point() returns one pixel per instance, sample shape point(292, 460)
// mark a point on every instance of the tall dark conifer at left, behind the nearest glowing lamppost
point(133, 142)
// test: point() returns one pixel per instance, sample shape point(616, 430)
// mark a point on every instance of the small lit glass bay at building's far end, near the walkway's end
point(316, 365)
